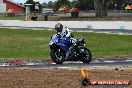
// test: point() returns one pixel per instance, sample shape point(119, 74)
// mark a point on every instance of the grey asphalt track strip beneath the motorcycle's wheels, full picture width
point(70, 64)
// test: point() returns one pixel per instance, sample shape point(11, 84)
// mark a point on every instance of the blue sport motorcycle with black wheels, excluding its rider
point(58, 53)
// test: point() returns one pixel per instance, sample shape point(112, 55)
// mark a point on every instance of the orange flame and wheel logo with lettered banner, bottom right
point(85, 80)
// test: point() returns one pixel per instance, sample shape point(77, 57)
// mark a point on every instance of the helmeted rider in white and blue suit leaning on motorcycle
point(67, 39)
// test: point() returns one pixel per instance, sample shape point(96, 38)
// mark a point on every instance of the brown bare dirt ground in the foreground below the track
point(59, 78)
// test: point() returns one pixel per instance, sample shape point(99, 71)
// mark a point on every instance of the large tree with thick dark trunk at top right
point(102, 6)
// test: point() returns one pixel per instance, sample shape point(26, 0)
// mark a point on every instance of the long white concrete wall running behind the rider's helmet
point(71, 24)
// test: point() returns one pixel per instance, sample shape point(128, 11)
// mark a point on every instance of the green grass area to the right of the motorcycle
point(103, 45)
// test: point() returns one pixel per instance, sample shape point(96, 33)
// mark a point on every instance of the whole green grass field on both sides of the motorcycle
point(33, 44)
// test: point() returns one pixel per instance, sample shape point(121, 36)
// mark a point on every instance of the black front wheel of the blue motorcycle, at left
point(57, 55)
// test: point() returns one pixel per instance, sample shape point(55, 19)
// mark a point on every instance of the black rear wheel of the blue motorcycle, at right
point(86, 55)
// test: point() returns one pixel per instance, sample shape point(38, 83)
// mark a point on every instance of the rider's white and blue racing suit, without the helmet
point(67, 40)
